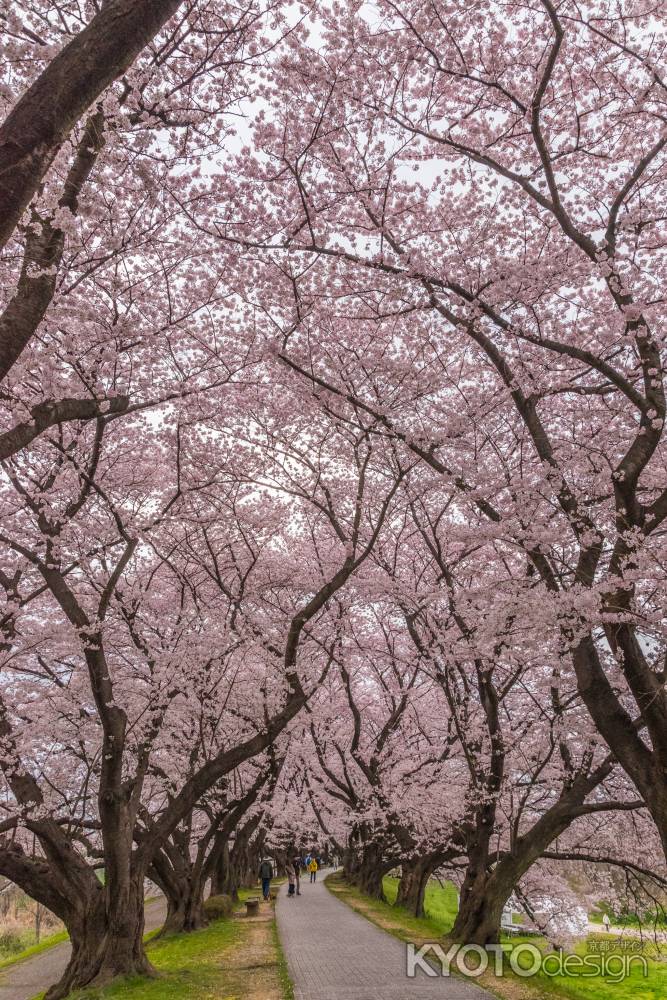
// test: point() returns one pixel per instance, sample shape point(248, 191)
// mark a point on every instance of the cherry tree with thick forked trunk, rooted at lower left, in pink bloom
point(193, 563)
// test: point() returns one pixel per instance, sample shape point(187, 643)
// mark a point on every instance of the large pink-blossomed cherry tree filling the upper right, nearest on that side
point(481, 193)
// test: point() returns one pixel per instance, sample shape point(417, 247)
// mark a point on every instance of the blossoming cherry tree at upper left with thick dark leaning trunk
point(110, 107)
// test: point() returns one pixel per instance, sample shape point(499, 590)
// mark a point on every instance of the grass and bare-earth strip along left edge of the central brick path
point(236, 959)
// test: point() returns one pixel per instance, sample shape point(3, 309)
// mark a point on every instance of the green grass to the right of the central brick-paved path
point(441, 902)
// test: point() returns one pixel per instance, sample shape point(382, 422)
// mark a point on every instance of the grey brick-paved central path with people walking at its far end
point(334, 953)
